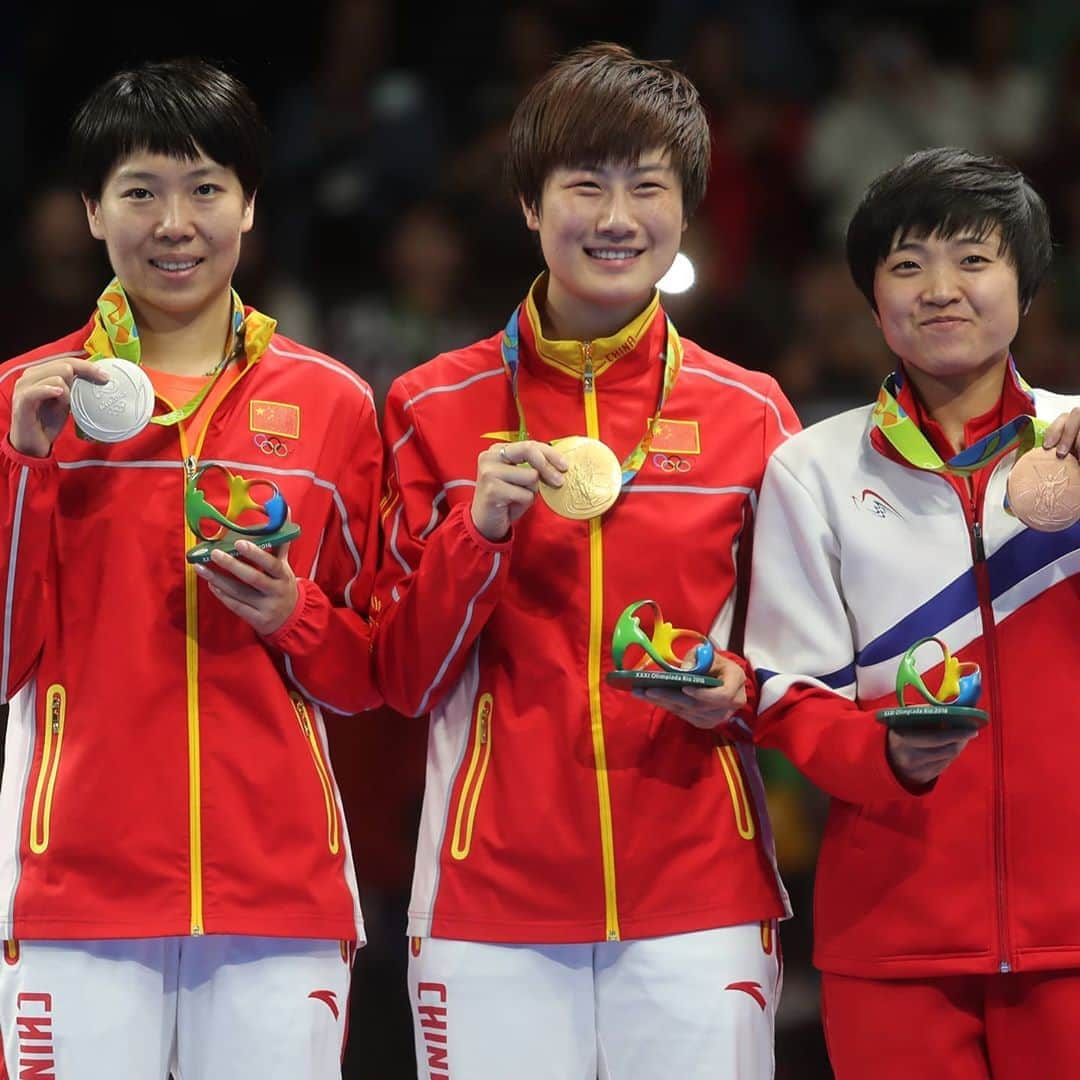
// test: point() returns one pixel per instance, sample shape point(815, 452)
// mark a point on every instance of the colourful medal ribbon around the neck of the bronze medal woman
point(914, 448)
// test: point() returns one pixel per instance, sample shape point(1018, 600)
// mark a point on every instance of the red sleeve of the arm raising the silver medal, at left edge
point(30, 489)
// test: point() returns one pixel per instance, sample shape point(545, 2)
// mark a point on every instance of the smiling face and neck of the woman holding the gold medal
point(609, 233)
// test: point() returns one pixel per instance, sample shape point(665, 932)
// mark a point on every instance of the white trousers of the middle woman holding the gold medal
point(679, 1008)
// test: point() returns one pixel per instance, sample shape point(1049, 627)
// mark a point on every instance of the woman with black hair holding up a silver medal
point(178, 890)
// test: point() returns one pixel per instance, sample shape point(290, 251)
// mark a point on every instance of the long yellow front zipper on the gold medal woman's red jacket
point(596, 634)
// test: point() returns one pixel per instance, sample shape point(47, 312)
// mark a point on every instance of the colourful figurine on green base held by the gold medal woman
point(659, 665)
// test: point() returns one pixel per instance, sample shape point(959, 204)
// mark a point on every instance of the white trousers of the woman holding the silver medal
point(214, 1008)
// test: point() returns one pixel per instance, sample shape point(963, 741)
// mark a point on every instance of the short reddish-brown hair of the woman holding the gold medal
point(603, 104)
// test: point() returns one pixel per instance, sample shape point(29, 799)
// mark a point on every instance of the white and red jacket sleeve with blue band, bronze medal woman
point(800, 642)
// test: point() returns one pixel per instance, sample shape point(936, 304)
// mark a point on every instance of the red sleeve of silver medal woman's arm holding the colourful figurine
point(327, 642)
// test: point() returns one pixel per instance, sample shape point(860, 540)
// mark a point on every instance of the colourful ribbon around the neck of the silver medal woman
point(115, 334)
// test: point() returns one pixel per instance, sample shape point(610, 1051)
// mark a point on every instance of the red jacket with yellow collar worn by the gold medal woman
point(558, 808)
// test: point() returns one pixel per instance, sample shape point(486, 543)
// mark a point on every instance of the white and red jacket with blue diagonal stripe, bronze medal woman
point(857, 557)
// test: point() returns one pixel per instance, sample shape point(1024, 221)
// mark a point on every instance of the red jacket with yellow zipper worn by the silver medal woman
point(166, 768)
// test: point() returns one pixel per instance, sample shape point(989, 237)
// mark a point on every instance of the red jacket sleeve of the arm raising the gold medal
point(440, 578)
